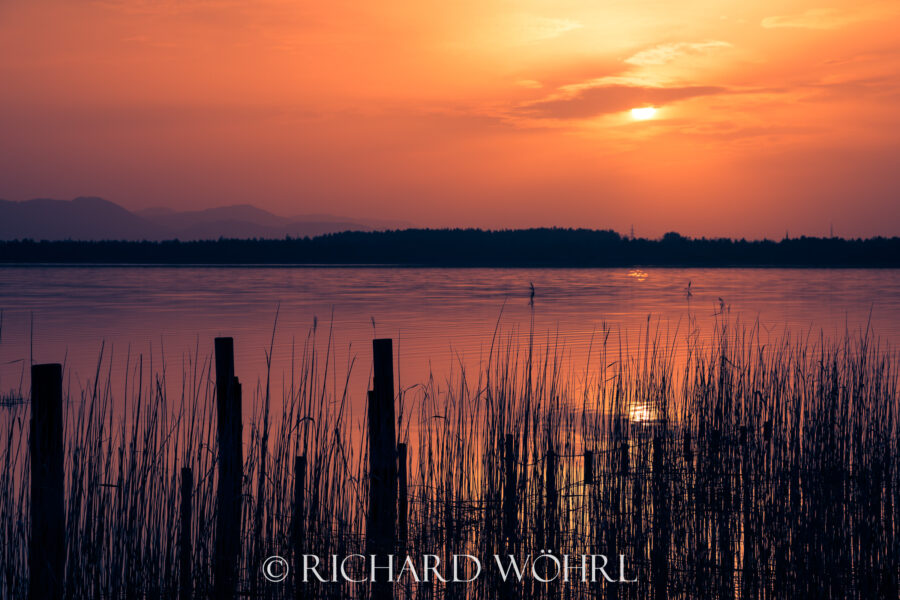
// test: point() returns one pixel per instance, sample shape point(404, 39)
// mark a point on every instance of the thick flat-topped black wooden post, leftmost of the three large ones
point(47, 552)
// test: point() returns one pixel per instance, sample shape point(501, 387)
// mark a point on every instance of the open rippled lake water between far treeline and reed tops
point(438, 317)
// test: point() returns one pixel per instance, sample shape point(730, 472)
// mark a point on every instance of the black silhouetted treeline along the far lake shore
point(472, 248)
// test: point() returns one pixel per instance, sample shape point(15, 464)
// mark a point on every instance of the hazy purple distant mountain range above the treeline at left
point(98, 219)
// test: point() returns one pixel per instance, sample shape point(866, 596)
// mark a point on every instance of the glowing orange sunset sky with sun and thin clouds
point(770, 117)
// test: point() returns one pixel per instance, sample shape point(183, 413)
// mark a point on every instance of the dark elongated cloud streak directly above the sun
point(607, 96)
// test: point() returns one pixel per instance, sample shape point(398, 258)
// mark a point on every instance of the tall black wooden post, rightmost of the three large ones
point(382, 517)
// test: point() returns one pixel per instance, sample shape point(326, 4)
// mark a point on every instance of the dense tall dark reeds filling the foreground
point(727, 466)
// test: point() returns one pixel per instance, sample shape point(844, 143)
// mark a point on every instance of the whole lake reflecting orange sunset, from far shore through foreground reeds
point(756, 462)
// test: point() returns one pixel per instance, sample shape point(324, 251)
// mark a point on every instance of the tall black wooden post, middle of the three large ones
point(228, 516)
